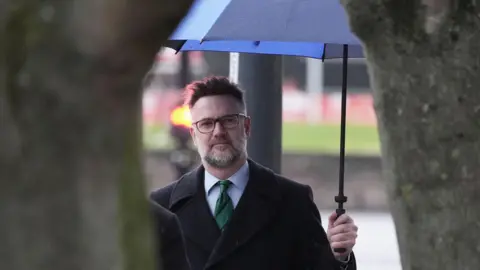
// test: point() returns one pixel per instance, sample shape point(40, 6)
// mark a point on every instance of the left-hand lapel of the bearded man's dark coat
point(189, 203)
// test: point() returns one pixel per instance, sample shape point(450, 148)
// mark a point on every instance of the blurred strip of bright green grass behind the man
point(299, 138)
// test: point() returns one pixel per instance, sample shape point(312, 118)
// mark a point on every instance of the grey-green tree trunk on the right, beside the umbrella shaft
point(424, 63)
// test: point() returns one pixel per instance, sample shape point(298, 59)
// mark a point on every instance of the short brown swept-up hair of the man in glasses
point(212, 86)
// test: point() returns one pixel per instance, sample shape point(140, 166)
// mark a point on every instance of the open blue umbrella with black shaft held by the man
point(311, 28)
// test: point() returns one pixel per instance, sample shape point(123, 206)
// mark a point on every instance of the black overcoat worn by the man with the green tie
point(275, 225)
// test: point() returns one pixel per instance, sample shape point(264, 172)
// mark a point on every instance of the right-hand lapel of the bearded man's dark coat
point(256, 208)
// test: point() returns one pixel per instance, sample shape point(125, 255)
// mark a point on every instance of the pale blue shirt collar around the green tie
point(239, 181)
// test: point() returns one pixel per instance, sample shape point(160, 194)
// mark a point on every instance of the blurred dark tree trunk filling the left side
point(72, 194)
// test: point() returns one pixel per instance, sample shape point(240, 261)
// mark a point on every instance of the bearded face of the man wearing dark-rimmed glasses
point(221, 130)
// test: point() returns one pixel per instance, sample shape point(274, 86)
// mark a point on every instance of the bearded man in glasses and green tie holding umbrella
point(237, 214)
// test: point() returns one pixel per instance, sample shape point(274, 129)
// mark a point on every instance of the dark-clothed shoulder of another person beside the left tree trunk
point(171, 251)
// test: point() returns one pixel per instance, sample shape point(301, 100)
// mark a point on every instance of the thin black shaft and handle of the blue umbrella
point(341, 198)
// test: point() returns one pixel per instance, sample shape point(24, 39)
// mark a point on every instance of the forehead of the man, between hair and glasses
point(214, 106)
